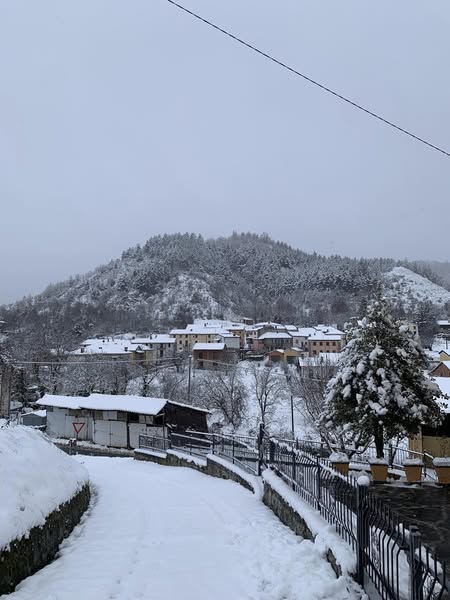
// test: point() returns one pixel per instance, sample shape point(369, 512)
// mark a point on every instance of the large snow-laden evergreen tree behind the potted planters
point(379, 391)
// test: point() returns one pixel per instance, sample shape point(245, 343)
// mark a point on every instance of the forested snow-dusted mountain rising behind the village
point(172, 279)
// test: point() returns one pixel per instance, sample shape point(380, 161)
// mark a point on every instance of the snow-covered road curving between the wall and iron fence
point(162, 533)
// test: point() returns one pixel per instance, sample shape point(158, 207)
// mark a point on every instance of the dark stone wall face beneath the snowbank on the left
point(24, 557)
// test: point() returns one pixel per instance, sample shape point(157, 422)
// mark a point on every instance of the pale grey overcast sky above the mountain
point(124, 119)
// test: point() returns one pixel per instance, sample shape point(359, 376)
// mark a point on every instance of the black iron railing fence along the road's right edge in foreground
point(393, 564)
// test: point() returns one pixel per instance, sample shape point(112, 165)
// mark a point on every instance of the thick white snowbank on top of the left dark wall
point(36, 478)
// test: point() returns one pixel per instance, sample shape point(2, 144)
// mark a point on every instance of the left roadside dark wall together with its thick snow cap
point(43, 494)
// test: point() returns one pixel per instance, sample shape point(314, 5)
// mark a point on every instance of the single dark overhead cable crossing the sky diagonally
point(309, 79)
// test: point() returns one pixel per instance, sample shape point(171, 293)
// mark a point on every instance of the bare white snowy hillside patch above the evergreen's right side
point(406, 287)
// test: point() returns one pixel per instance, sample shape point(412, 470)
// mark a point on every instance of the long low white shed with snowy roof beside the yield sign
point(117, 421)
